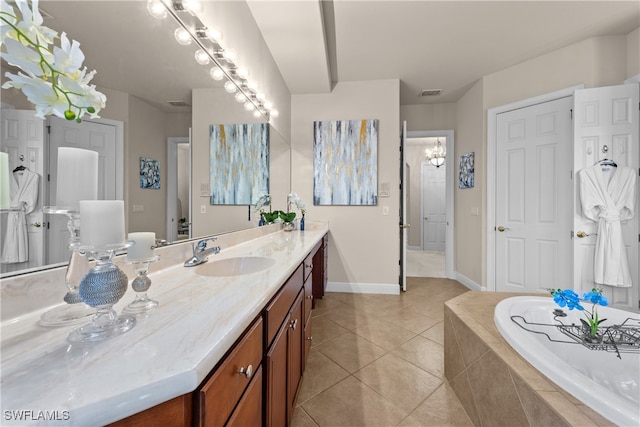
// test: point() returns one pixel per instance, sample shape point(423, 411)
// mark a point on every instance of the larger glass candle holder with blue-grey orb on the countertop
point(101, 288)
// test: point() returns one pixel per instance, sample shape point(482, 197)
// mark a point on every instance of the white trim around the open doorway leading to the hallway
point(449, 256)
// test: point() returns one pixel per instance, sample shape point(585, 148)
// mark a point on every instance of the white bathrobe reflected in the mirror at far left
point(24, 197)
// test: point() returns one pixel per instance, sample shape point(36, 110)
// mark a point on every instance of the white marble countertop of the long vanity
point(165, 355)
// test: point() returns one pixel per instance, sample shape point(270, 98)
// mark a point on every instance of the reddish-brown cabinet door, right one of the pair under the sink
point(295, 344)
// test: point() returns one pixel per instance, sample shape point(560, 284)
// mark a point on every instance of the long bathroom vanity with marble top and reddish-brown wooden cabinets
point(224, 347)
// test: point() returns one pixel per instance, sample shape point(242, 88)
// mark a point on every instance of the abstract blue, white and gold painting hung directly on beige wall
point(345, 162)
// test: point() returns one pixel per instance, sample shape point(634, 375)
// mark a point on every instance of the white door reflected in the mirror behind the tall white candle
point(90, 136)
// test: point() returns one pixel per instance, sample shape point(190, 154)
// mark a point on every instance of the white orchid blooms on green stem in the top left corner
point(52, 78)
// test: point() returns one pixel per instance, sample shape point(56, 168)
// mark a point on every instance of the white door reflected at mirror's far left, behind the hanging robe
point(23, 140)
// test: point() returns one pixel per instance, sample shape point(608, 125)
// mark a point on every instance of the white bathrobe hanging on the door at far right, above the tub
point(608, 197)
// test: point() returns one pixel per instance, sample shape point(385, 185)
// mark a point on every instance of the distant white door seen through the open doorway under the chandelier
point(434, 207)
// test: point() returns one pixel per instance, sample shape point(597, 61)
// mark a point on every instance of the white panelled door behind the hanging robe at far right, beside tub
point(605, 126)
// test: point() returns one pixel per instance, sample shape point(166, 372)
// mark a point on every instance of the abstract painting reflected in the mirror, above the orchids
point(239, 163)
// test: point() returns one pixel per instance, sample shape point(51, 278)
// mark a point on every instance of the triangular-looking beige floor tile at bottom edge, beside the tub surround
point(442, 408)
